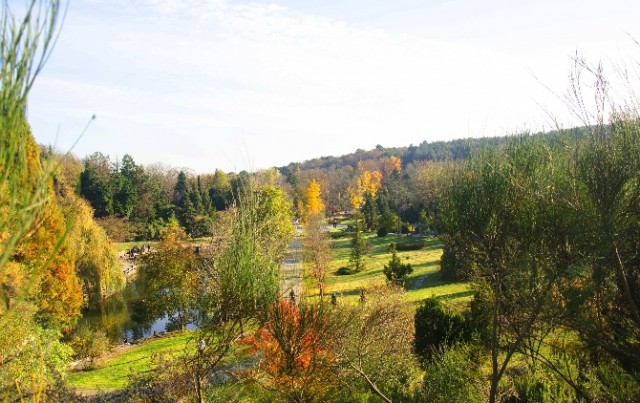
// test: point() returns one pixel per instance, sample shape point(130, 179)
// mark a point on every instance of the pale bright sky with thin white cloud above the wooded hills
point(235, 85)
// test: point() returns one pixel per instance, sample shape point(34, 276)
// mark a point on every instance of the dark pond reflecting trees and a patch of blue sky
point(123, 315)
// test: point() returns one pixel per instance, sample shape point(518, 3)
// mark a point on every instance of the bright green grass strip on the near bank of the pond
point(112, 372)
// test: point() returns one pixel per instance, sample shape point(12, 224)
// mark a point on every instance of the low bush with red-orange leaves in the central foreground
point(295, 360)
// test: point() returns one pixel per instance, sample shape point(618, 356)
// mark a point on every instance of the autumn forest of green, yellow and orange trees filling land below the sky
point(542, 229)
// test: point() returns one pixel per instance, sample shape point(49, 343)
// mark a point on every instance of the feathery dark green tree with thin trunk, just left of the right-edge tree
point(503, 218)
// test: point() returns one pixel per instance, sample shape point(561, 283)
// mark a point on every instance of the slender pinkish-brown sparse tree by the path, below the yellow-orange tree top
point(317, 247)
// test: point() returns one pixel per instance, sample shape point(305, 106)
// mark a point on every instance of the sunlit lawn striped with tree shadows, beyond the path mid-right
point(424, 282)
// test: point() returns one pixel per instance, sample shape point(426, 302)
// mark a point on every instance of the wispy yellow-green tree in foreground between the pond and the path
point(239, 273)
